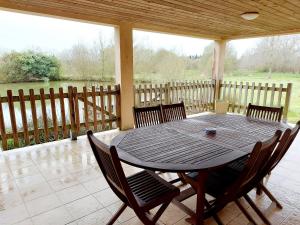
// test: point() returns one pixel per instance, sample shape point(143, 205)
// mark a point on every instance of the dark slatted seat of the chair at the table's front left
point(150, 190)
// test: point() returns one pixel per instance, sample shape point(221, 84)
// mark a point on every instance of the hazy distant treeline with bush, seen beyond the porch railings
point(96, 62)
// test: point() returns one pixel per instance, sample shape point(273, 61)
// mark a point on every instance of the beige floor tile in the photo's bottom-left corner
point(13, 215)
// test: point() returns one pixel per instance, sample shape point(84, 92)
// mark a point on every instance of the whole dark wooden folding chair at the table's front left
point(141, 192)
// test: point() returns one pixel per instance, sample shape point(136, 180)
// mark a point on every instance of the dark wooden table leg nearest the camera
point(198, 219)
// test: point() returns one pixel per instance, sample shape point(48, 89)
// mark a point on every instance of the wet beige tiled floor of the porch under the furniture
point(60, 183)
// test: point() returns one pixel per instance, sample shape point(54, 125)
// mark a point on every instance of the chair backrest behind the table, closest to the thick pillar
point(147, 116)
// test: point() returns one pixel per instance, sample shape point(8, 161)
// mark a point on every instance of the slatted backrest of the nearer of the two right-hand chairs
point(256, 163)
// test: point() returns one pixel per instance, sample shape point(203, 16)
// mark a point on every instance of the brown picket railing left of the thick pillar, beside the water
point(36, 118)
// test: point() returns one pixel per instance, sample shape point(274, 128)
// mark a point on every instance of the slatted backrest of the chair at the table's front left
point(110, 165)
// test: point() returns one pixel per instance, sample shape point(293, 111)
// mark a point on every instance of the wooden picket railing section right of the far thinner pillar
point(239, 95)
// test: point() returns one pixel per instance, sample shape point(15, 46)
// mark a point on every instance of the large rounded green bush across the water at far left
point(29, 66)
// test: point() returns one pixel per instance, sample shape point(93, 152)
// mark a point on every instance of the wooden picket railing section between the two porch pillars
point(197, 96)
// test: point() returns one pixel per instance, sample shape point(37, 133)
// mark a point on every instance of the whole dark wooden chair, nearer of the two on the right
point(227, 187)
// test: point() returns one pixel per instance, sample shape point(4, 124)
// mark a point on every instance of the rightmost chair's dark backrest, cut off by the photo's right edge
point(286, 141)
